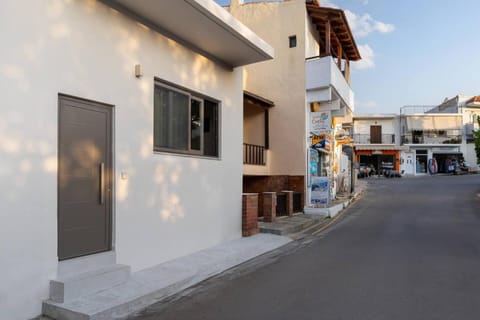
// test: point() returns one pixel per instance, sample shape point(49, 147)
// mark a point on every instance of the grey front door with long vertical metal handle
point(84, 177)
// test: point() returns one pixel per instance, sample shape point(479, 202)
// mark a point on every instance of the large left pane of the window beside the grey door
point(171, 119)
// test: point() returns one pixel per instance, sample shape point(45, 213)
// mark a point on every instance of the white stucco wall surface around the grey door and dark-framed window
point(169, 206)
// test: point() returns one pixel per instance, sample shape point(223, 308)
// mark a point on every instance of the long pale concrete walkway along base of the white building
point(152, 285)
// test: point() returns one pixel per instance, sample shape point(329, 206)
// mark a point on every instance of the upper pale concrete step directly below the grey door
point(66, 288)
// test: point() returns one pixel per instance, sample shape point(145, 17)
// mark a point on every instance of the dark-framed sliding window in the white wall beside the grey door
point(184, 122)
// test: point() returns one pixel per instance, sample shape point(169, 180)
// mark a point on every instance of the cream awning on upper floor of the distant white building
point(436, 122)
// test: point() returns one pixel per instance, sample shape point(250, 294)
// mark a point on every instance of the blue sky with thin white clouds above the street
point(415, 52)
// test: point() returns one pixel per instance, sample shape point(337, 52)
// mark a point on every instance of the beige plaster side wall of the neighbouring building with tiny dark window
point(281, 80)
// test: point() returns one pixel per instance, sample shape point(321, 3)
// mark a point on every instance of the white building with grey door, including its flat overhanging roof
point(120, 136)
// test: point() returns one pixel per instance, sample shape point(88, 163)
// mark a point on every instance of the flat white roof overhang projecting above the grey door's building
point(202, 26)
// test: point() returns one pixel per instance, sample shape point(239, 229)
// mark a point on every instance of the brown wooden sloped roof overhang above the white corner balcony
point(339, 25)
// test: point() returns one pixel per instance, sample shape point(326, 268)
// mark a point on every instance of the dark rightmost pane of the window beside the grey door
point(210, 129)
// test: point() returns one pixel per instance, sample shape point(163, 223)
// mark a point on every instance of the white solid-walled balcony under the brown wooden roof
point(325, 82)
